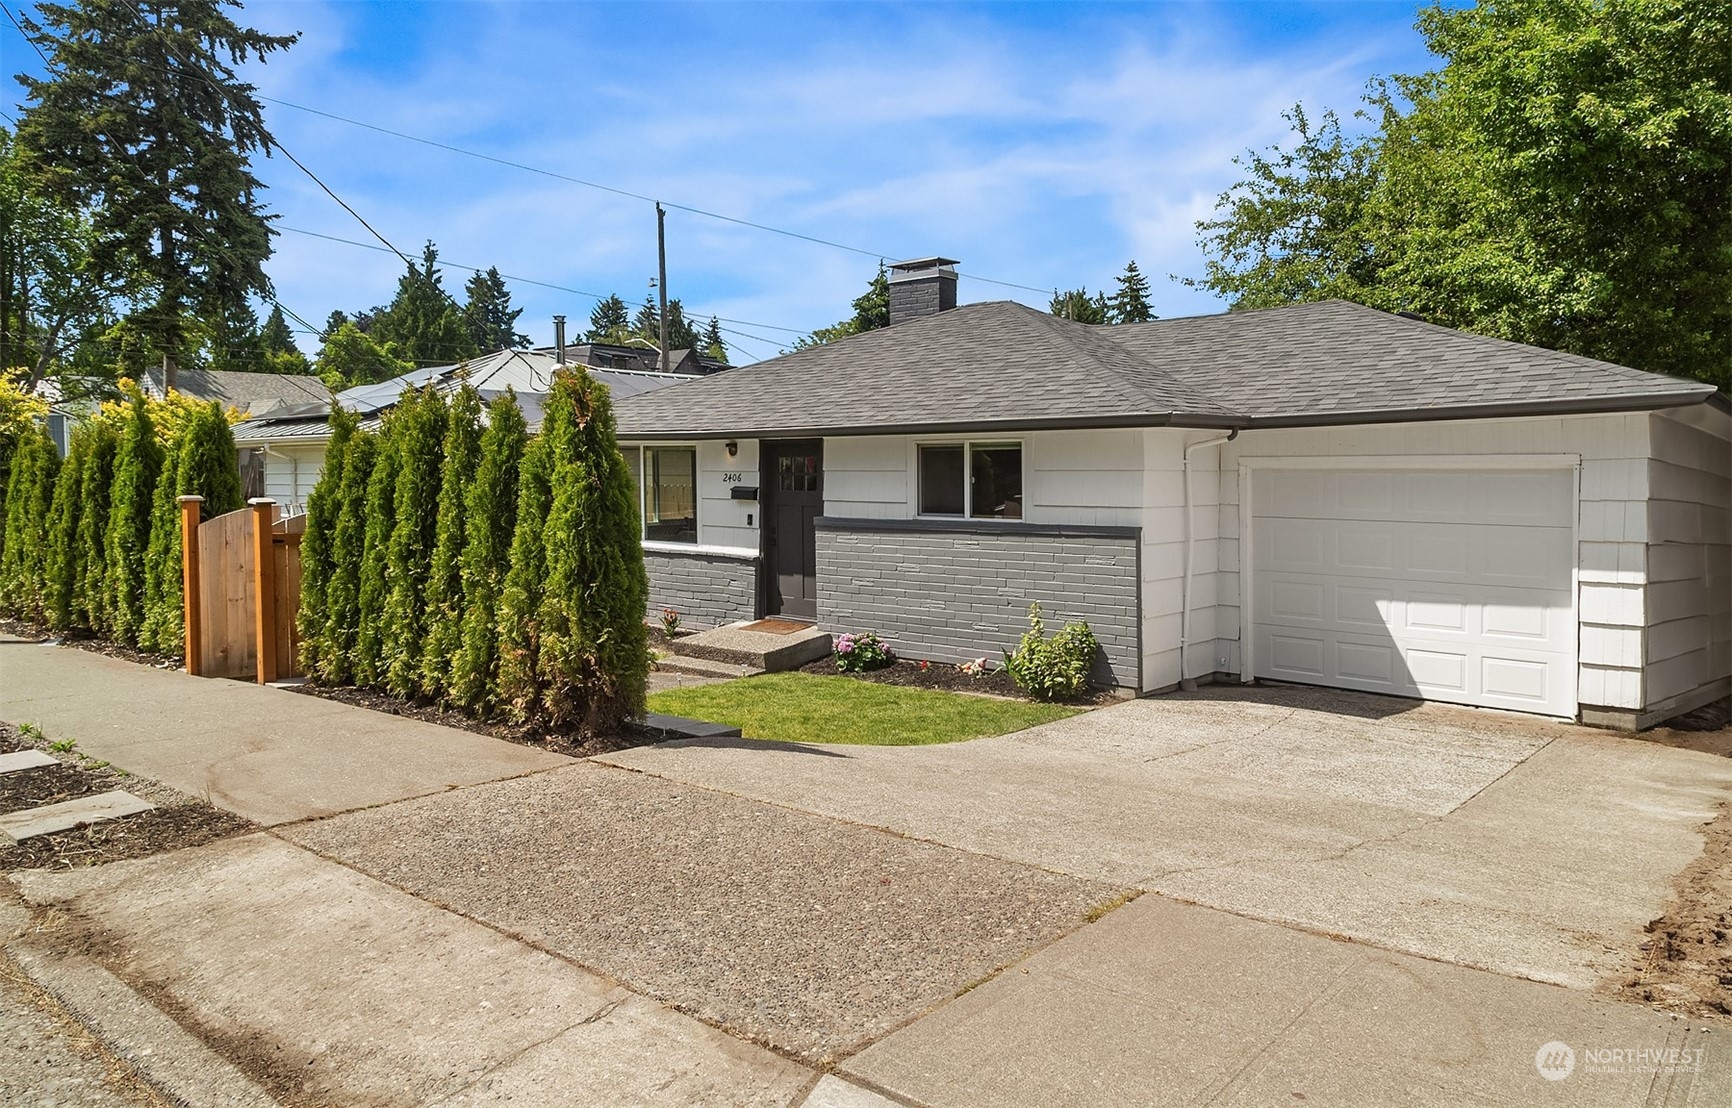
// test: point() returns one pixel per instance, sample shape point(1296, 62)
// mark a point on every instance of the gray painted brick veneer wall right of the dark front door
point(952, 593)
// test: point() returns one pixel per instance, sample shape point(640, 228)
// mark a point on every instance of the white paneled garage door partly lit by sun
point(1452, 584)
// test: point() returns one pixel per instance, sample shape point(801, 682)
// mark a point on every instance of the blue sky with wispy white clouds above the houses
point(1042, 145)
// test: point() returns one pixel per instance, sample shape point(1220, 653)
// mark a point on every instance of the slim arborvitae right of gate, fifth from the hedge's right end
point(410, 558)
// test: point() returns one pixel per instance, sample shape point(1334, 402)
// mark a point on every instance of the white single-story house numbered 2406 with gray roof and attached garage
point(1322, 494)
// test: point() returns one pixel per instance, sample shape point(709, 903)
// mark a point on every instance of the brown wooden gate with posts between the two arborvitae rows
point(242, 577)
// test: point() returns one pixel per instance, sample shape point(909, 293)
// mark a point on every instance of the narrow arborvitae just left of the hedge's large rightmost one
point(517, 690)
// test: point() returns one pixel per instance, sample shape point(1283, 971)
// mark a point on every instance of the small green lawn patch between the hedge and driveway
point(808, 709)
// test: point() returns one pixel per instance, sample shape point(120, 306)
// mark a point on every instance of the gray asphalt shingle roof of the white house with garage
point(1009, 366)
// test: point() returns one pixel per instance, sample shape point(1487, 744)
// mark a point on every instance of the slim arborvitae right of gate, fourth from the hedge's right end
point(444, 588)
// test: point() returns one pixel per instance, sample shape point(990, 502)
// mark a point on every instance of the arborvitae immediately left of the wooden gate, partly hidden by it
point(202, 465)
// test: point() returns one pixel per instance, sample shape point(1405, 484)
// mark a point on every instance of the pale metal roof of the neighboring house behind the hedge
point(529, 373)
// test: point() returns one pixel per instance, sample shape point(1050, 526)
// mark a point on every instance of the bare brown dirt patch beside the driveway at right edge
point(1686, 962)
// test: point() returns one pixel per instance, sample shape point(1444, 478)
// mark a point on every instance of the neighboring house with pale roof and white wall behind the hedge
point(283, 454)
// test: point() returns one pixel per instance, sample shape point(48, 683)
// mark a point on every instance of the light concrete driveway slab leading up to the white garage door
point(1487, 841)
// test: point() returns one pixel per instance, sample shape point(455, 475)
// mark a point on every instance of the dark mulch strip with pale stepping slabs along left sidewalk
point(178, 821)
